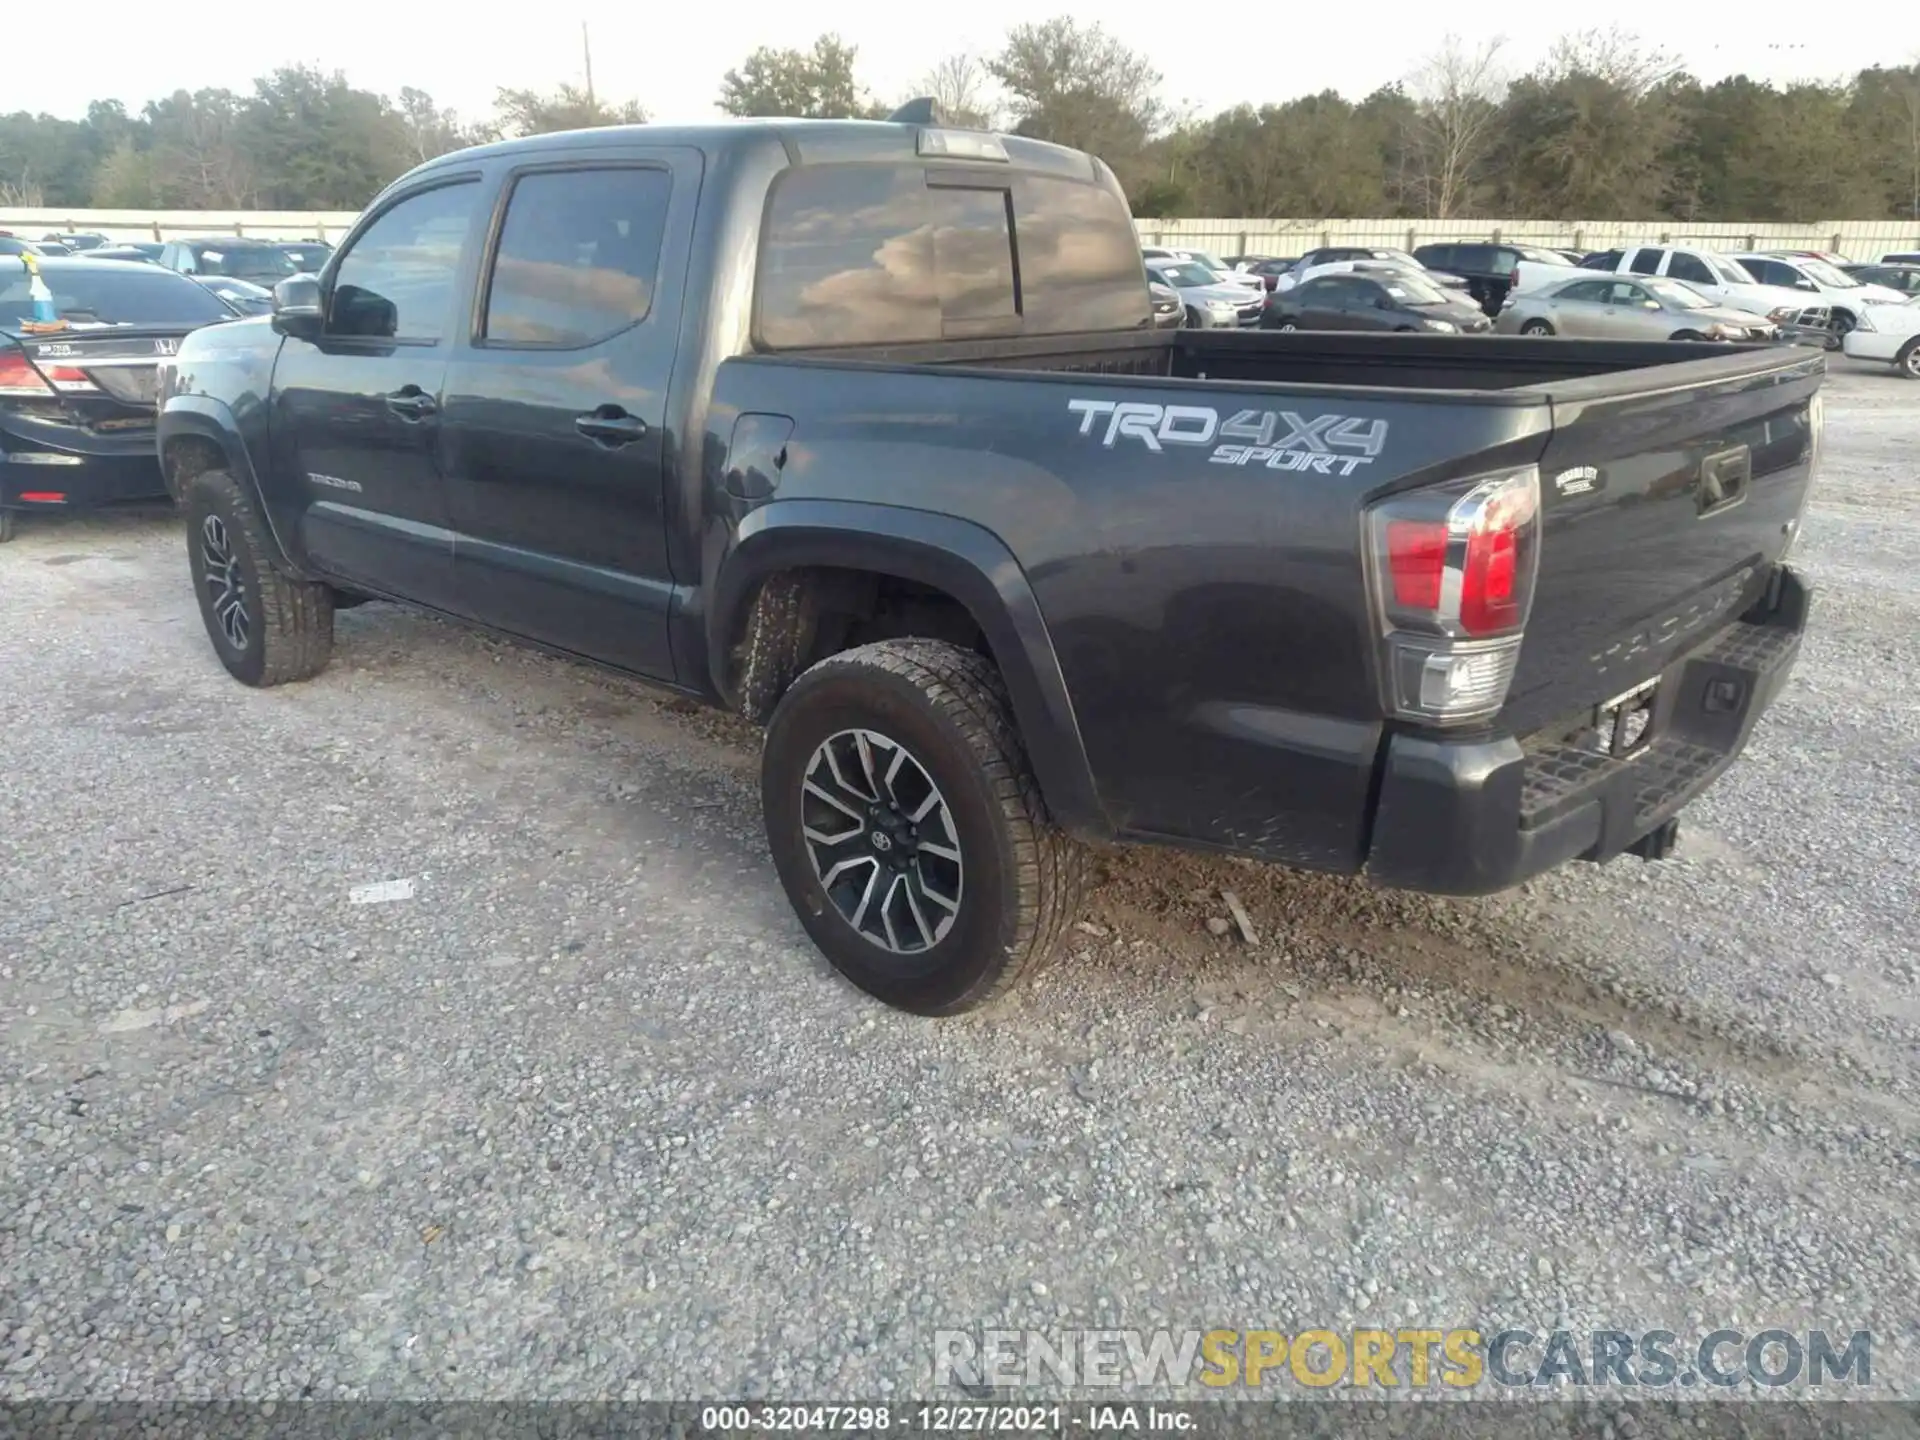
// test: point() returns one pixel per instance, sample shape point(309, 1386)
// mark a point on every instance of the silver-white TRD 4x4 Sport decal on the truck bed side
point(1280, 441)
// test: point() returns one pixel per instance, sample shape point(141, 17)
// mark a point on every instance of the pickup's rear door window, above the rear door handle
point(579, 256)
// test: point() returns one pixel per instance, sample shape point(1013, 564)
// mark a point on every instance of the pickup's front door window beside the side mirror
point(396, 279)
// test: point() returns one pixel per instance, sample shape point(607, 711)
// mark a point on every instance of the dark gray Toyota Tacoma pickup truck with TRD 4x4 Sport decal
point(865, 431)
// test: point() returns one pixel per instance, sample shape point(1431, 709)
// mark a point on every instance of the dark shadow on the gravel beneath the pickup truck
point(1508, 974)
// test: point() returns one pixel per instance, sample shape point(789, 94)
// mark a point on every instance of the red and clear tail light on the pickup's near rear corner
point(1452, 575)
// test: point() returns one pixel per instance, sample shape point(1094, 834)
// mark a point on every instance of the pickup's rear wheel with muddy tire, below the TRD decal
point(909, 830)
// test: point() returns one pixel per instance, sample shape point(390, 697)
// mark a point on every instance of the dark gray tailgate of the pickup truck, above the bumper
point(1666, 500)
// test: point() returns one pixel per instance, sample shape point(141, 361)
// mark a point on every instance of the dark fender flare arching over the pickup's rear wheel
point(951, 556)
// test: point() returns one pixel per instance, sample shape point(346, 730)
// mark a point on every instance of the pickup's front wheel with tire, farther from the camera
point(266, 629)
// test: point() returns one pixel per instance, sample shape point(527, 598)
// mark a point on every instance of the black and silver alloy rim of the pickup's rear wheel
point(882, 842)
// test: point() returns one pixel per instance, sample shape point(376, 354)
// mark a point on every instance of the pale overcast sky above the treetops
point(671, 59)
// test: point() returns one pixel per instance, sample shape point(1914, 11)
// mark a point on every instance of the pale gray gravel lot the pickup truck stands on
point(587, 1116)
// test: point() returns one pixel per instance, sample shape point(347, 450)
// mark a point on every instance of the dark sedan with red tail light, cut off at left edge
point(78, 402)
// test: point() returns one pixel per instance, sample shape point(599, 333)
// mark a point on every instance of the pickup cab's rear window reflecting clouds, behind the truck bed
point(875, 254)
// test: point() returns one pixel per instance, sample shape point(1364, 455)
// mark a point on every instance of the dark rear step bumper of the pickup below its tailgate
point(1481, 817)
